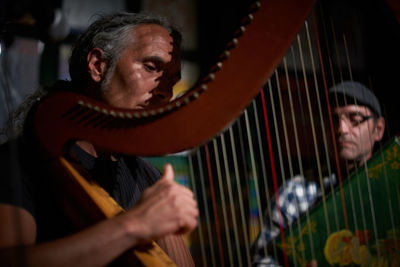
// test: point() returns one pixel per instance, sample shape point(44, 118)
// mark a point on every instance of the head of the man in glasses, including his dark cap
point(358, 122)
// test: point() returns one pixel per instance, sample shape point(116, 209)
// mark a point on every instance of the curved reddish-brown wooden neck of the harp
point(266, 35)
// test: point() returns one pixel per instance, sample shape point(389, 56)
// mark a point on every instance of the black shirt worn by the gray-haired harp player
point(27, 183)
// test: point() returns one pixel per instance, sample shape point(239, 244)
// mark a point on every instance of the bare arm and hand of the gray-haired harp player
point(158, 213)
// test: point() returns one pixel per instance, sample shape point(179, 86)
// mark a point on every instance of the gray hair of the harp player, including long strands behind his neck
point(111, 33)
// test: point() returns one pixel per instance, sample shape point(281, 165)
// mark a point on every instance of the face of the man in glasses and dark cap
point(356, 132)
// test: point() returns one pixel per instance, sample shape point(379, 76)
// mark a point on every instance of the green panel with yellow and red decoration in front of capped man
point(371, 221)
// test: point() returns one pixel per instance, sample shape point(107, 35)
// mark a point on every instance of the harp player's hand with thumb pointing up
point(164, 208)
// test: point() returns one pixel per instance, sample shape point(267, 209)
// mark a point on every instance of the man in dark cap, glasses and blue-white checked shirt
point(358, 125)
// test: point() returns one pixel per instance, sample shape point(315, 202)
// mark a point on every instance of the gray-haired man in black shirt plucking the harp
point(126, 61)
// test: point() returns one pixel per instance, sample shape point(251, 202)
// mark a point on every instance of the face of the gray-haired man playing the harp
point(142, 75)
